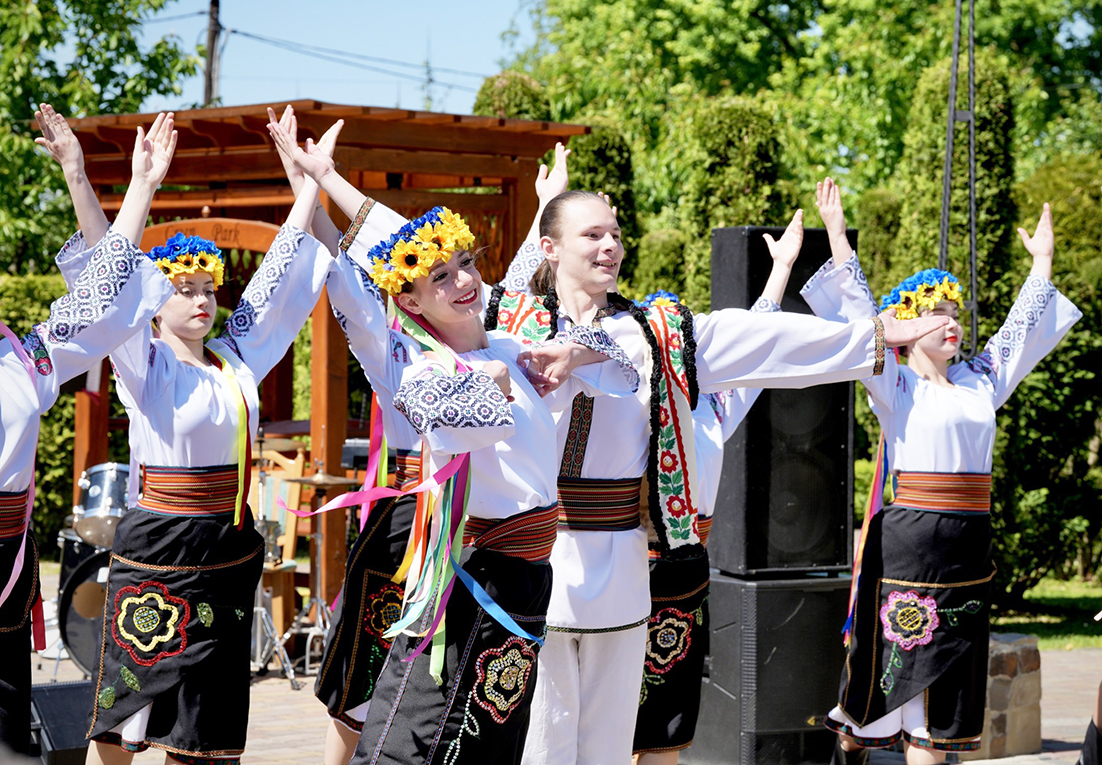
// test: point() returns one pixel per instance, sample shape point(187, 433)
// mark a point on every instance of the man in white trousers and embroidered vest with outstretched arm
point(592, 664)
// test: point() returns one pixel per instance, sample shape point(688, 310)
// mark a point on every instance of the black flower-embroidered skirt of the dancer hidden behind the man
point(677, 644)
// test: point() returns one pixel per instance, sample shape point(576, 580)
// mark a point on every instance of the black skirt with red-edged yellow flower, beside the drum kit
point(177, 633)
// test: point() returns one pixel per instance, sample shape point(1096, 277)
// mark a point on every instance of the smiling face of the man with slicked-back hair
point(586, 251)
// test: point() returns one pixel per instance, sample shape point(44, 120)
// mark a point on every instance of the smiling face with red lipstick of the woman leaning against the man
point(451, 294)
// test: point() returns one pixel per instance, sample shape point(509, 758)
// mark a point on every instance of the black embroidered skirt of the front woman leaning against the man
point(480, 714)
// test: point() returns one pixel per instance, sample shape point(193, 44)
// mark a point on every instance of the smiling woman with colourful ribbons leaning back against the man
point(477, 708)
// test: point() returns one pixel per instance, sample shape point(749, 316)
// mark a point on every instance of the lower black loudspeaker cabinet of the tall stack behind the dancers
point(773, 674)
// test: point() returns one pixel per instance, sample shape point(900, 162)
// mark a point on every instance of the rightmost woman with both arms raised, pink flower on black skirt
point(917, 662)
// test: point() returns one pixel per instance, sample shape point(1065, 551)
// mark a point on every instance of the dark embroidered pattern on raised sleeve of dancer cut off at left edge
point(98, 287)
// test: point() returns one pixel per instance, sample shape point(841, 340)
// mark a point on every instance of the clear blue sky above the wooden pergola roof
point(458, 36)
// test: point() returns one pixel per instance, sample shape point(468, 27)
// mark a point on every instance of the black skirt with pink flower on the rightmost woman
point(922, 624)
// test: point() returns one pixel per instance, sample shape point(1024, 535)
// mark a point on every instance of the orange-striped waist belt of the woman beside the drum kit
point(190, 491)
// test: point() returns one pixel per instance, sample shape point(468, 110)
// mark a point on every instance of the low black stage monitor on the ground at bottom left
point(60, 720)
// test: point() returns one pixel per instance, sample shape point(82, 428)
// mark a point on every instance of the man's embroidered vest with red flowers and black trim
point(672, 469)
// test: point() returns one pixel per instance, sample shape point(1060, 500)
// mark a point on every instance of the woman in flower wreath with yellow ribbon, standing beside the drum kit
point(174, 672)
